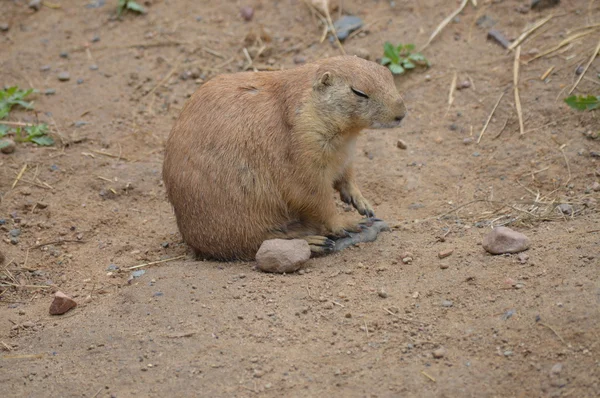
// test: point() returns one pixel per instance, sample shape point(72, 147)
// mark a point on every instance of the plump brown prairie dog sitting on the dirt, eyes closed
point(256, 156)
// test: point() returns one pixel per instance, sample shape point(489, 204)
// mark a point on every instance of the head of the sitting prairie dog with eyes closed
point(354, 94)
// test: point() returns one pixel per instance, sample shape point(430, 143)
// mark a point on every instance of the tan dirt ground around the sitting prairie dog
point(189, 328)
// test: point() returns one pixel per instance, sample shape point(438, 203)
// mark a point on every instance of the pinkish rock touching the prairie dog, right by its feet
point(282, 255)
